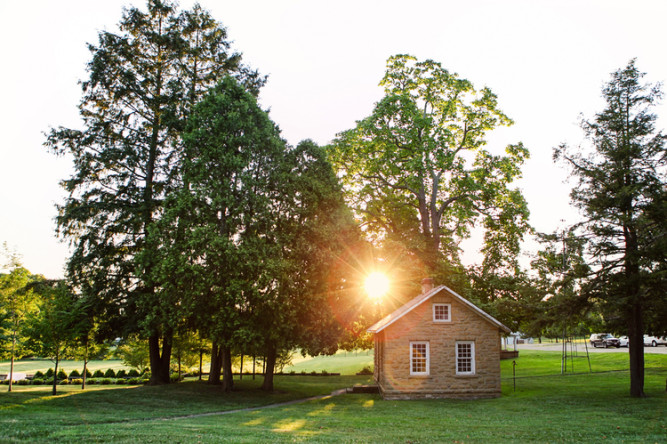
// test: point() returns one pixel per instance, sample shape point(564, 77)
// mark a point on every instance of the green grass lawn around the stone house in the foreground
point(571, 408)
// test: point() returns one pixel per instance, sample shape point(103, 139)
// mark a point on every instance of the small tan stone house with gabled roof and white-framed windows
point(438, 345)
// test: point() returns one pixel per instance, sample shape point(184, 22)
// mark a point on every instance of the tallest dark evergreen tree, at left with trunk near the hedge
point(143, 83)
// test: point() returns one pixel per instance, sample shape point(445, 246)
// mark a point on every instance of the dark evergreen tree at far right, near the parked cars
point(622, 196)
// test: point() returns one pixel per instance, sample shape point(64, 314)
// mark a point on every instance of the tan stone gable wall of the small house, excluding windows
point(395, 380)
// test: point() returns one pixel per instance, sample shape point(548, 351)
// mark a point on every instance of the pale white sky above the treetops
point(546, 60)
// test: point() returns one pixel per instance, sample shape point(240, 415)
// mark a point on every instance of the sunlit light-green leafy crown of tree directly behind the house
point(418, 175)
